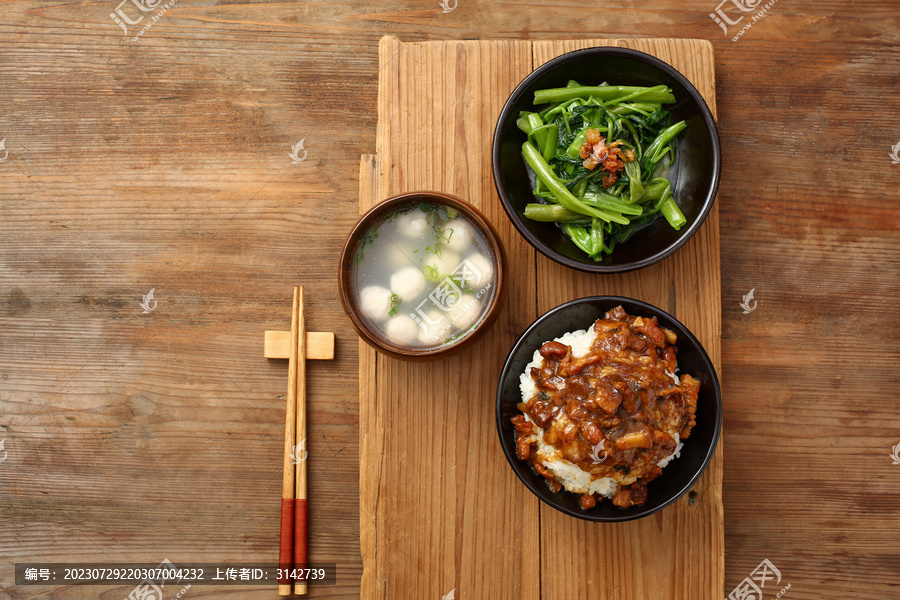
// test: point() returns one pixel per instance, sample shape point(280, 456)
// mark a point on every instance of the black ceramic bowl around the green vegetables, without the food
point(695, 176)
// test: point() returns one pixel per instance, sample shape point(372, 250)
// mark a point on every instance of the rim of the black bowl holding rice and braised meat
point(514, 460)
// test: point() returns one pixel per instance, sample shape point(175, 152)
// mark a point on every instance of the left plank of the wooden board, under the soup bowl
point(440, 509)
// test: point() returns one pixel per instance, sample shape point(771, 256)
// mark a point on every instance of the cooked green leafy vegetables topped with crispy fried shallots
point(596, 153)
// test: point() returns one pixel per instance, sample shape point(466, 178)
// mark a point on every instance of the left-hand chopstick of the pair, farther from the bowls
point(288, 486)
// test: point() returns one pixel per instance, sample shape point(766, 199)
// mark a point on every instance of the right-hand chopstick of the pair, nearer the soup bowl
point(301, 554)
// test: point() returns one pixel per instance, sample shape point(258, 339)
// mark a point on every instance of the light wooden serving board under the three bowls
point(440, 508)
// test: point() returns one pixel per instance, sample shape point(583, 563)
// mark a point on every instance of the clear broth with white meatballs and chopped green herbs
point(424, 277)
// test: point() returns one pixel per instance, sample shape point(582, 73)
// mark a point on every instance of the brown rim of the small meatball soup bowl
point(381, 210)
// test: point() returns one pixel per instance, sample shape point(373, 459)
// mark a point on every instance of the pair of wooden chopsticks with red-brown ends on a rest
point(293, 552)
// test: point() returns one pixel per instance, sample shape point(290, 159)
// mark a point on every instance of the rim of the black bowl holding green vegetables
point(653, 61)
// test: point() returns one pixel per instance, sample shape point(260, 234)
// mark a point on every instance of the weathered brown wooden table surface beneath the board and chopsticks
point(162, 162)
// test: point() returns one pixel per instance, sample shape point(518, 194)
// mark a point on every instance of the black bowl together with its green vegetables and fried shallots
point(606, 159)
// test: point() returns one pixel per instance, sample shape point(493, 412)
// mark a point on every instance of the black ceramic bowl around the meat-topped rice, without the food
point(679, 475)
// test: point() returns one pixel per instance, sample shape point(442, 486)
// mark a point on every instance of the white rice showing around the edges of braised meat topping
point(572, 477)
